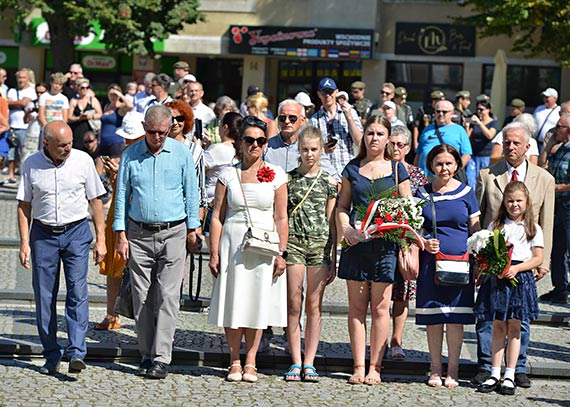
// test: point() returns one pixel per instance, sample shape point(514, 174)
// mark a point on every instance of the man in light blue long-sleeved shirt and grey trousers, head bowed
point(156, 215)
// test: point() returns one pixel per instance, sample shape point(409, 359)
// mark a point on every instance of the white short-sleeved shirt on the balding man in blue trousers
point(59, 194)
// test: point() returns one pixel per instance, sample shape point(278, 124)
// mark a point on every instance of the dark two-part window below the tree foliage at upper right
point(524, 82)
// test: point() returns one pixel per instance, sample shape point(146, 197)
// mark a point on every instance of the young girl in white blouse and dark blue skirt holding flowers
point(502, 302)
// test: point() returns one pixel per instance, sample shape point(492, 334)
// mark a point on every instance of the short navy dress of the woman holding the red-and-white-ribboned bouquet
point(374, 260)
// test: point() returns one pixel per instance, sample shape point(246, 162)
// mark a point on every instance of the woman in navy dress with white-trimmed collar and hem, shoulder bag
point(457, 216)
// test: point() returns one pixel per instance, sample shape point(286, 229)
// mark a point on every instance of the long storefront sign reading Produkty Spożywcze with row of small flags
point(301, 42)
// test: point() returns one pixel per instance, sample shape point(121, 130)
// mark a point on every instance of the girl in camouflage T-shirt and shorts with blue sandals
point(312, 245)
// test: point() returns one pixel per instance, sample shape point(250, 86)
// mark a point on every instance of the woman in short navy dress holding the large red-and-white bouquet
point(368, 266)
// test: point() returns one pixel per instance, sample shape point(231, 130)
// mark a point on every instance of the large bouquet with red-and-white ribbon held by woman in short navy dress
point(391, 217)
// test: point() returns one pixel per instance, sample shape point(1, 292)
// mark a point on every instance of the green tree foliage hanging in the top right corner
point(535, 26)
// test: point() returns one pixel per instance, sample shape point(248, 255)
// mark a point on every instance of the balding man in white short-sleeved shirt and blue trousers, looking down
point(57, 187)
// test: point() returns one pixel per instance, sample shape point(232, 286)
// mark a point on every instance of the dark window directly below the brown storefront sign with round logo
point(420, 78)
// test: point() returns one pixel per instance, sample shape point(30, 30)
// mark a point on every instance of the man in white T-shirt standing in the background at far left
point(18, 98)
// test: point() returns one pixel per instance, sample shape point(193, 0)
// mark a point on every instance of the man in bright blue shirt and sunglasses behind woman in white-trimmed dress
point(443, 131)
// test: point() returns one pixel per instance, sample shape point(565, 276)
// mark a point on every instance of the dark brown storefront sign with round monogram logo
point(435, 39)
